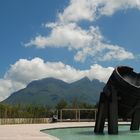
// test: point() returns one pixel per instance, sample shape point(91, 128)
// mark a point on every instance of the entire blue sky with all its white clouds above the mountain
point(90, 40)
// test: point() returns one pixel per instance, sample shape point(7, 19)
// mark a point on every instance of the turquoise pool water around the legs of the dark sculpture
point(87, 133)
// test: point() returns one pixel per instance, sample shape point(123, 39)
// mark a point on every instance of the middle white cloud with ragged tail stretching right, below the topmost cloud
point(84, 42)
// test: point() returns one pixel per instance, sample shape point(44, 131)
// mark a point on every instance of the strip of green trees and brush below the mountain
point(39, 111)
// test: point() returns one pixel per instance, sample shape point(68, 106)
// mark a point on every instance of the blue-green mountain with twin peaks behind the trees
point(50, 91)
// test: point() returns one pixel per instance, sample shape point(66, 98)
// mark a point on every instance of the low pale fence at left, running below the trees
point(24, 120)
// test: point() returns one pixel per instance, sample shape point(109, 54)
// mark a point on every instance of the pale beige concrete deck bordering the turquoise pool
point(32, 131)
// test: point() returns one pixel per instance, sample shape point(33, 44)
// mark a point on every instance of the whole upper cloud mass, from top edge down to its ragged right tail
point(66, 32)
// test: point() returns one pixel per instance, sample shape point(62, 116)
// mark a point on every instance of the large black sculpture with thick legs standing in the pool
point(120, 97)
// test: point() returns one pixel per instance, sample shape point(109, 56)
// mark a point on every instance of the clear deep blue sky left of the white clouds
point(21, 20)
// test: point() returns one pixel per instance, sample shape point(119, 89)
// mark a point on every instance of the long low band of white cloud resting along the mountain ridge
point(24, 71)
